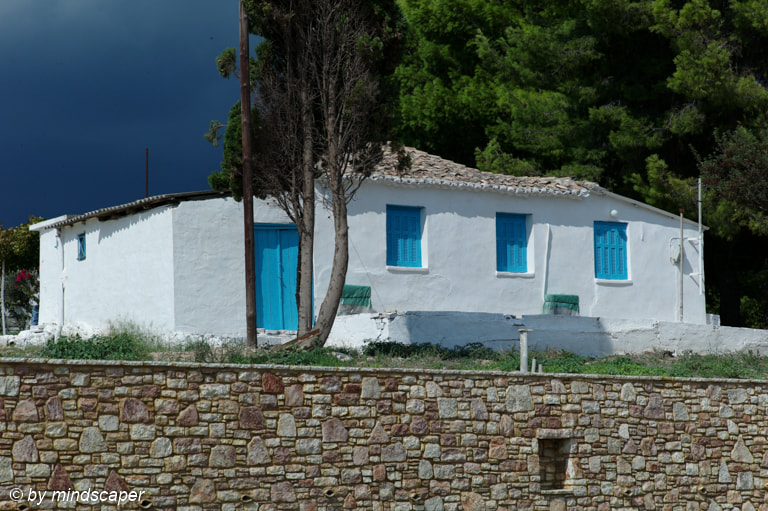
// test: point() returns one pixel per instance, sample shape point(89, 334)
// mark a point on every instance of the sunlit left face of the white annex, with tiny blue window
point(127, 274)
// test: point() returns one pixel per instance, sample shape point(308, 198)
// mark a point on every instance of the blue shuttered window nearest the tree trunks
point(404, 236)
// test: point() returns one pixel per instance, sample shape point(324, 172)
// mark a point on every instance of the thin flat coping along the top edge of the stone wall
point(365, 370)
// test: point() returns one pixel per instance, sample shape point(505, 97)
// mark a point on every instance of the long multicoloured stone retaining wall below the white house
point(197, 437)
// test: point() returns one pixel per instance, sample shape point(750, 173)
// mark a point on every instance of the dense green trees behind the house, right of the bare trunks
point(626, 94)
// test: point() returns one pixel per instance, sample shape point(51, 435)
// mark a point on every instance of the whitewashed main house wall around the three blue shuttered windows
point(459, 255)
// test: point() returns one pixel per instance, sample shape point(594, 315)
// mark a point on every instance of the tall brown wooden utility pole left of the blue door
point(245, 111)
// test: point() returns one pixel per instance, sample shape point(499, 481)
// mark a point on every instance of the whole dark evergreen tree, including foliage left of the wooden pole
point(322, 90)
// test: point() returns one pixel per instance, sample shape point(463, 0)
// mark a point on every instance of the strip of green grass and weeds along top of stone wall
point(125, 342)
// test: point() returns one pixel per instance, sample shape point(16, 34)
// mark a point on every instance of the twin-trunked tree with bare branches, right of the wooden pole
point(318, 96)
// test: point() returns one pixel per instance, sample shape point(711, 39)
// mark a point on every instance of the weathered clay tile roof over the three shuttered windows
point(428, 169)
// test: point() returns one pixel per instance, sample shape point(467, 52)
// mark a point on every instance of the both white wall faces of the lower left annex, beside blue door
point(173, 269)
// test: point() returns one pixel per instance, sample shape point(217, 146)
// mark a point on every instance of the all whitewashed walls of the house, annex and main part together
point(181, 268)
